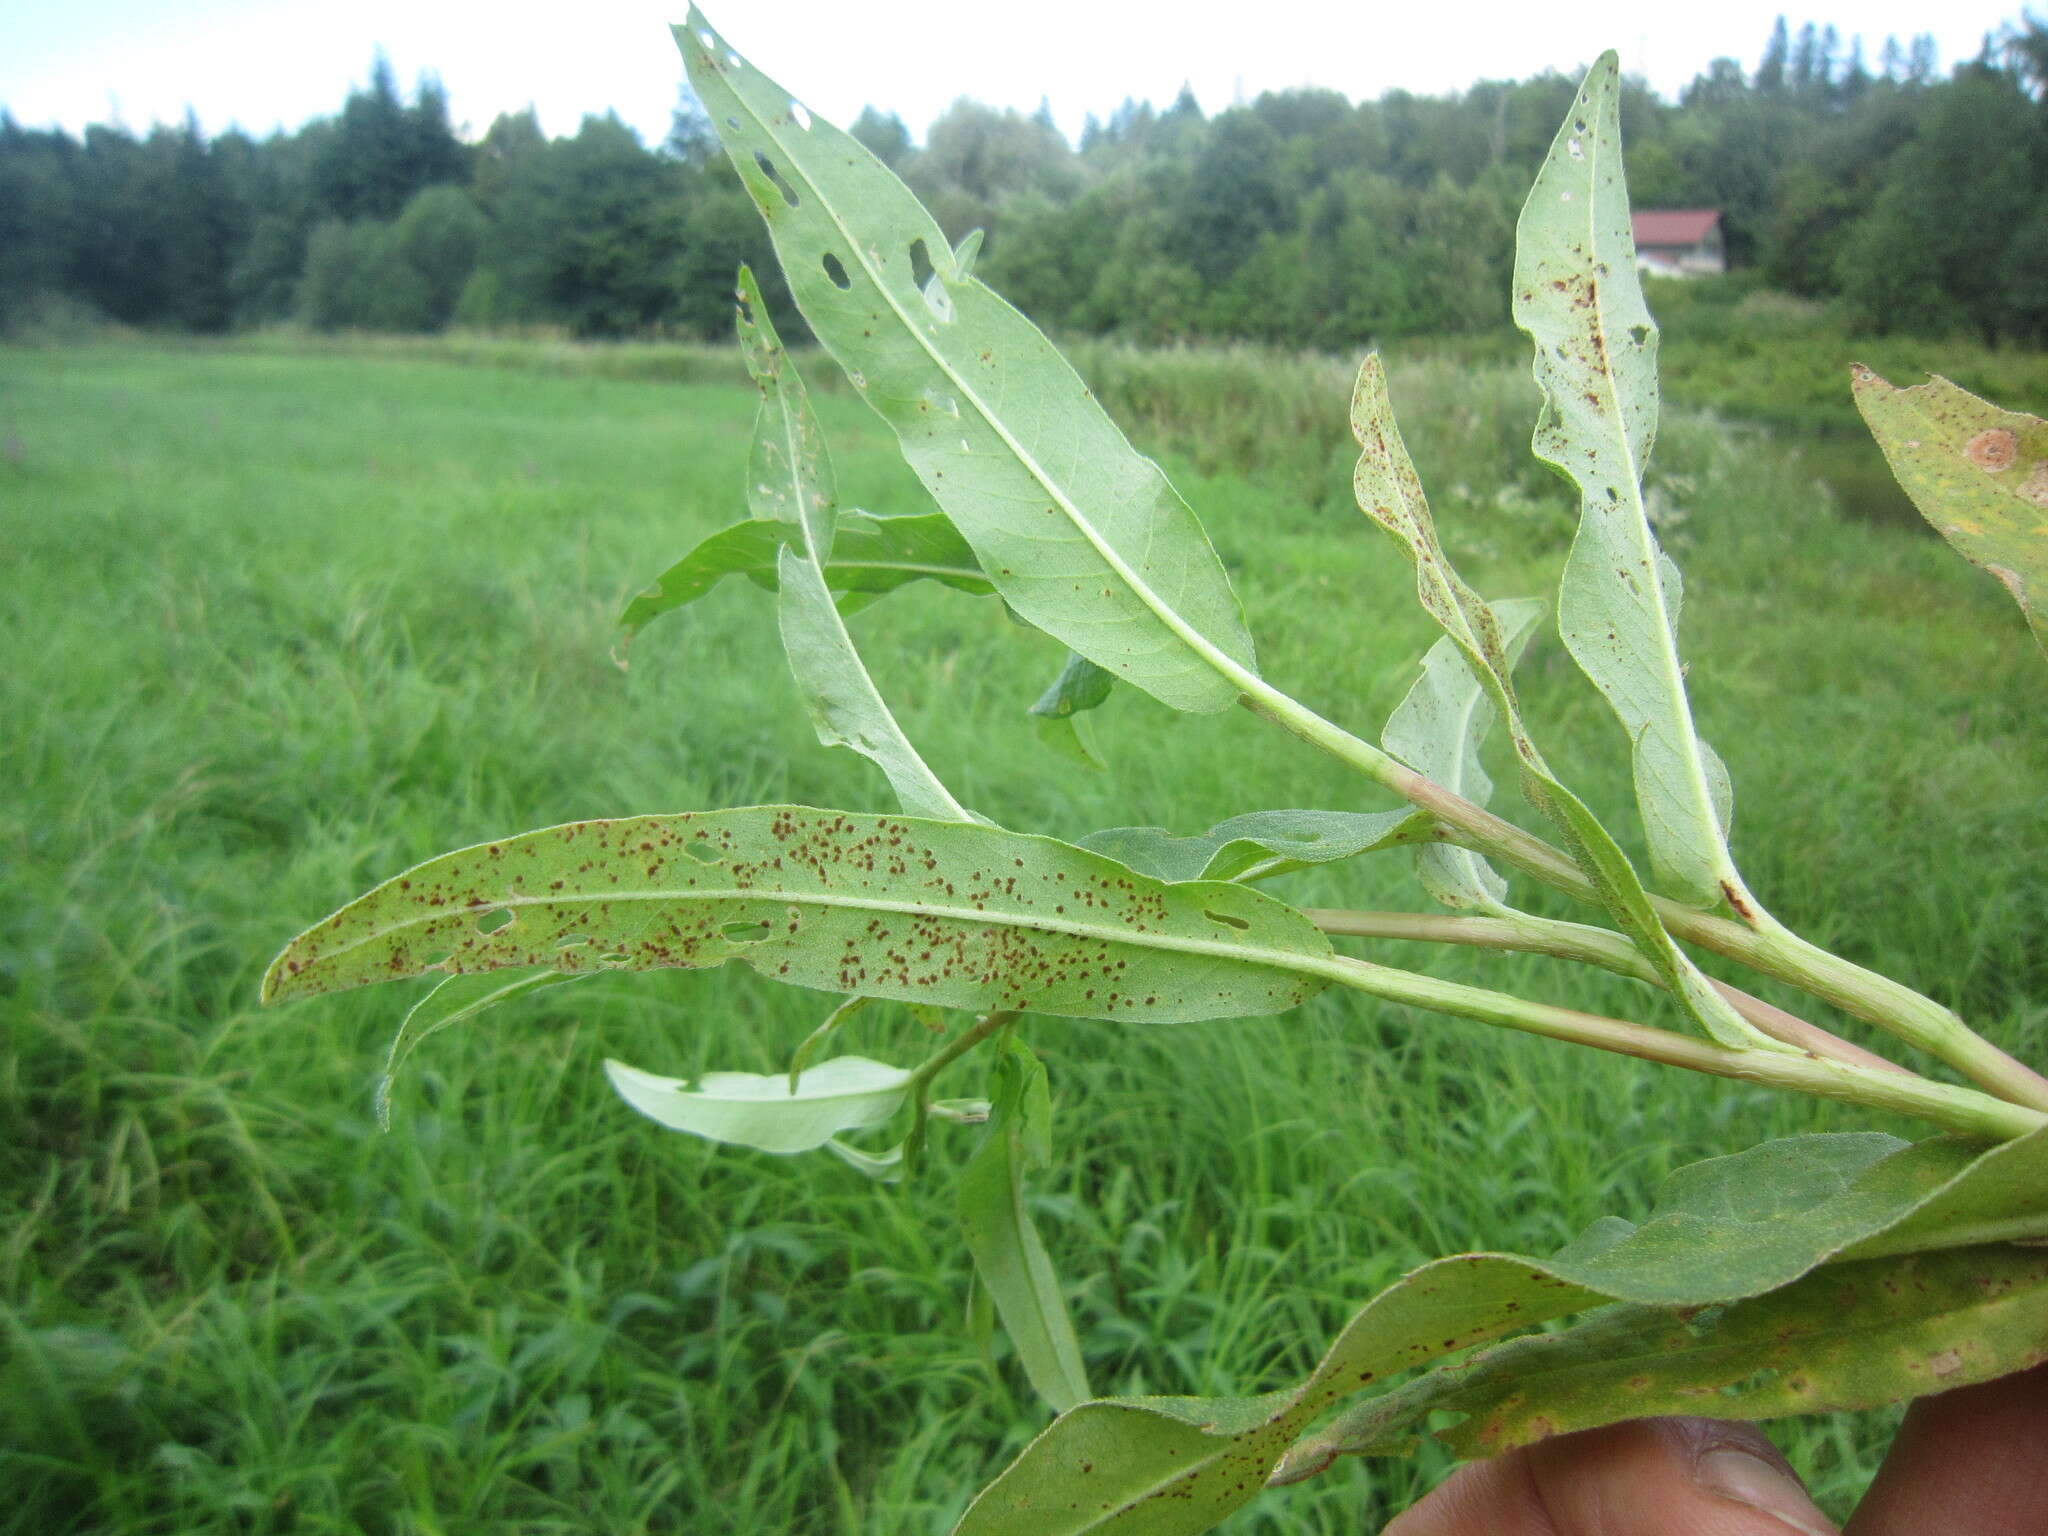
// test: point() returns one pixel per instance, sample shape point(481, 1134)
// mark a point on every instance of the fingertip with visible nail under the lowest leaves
point(1648, 1478)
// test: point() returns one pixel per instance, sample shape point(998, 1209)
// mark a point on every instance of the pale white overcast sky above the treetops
point(265, 65)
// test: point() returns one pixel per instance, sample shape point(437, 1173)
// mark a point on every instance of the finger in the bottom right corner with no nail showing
point(1967, 1463)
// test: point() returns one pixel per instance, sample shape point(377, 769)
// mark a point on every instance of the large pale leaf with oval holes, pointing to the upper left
point(1080, 534)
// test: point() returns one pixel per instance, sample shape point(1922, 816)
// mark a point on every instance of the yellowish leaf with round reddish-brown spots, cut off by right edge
point(1977, 474)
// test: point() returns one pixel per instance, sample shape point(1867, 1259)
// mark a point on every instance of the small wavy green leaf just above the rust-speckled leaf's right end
point(1261, 845)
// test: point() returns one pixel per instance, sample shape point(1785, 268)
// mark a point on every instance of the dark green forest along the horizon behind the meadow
point(1902, 198)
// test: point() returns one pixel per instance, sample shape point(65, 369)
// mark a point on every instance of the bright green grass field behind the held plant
point(290, 622)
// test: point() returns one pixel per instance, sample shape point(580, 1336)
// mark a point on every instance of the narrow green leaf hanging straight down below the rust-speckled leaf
point(1011, 1261)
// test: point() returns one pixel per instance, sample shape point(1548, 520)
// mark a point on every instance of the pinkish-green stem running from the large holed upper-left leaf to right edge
point(1766, 947)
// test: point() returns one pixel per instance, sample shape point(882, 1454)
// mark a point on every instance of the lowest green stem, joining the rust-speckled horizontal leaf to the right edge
point(1959, 1109)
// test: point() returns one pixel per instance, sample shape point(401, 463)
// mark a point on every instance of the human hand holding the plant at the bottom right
point(1967, 1463)
